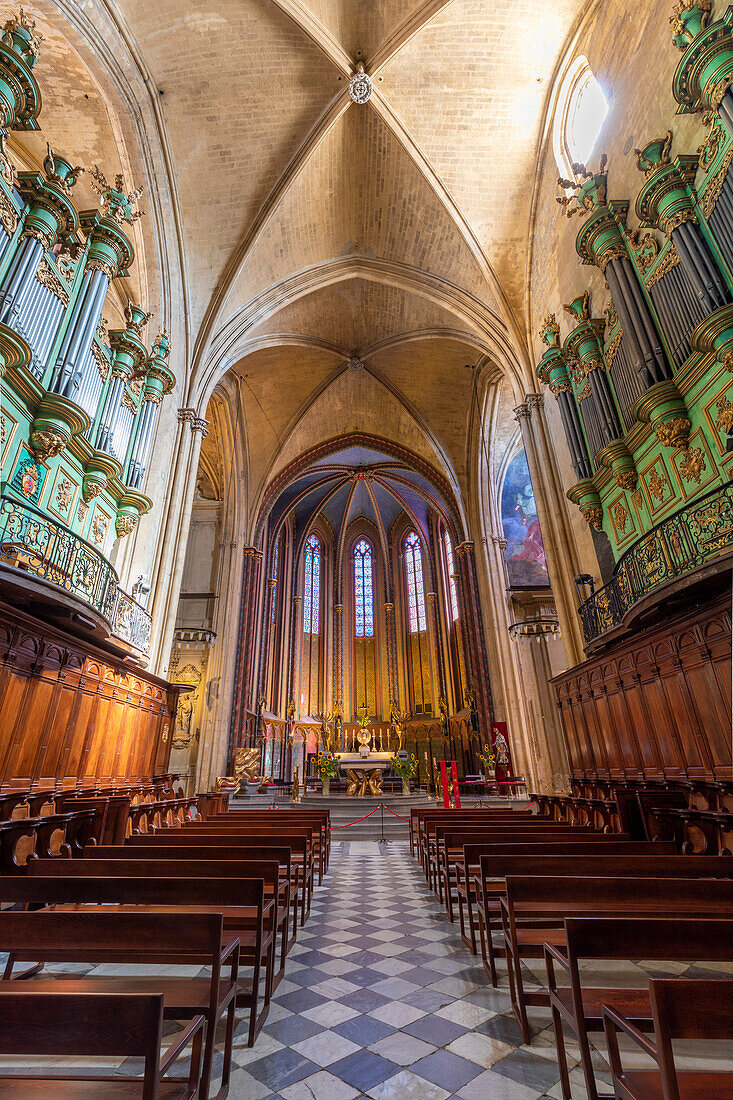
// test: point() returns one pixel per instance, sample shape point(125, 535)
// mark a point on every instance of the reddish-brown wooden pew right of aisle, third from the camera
point(533, 911)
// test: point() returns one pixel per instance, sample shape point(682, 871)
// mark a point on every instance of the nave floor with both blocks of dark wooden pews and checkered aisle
point(354, 966)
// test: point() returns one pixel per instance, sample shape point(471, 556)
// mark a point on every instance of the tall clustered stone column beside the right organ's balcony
point(555, 523)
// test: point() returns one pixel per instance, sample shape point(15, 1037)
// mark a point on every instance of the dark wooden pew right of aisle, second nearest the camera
point(581, 1007)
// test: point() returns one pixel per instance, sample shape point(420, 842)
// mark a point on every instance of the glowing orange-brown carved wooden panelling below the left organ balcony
point(69, 709)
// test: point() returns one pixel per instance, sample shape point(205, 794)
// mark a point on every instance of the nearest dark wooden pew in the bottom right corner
point(682, 1008)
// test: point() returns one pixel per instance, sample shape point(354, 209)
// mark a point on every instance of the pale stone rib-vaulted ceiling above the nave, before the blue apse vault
point(311, 229)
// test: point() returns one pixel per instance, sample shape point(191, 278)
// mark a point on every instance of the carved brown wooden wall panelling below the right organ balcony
point(660, 700)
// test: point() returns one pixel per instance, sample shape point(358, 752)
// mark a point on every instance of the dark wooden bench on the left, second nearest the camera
point(168, 937)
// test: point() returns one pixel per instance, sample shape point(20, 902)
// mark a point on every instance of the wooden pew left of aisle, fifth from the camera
point(167, 848)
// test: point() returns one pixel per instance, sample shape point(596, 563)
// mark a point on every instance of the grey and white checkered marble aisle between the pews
point(381, 999)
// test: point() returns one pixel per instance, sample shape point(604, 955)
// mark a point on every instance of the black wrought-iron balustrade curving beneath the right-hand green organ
point(690, 538)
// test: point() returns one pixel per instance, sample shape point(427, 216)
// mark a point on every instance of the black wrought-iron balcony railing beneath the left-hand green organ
point(31, 542)
